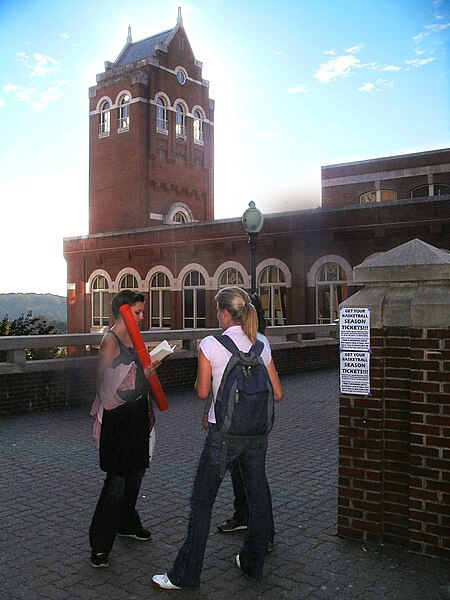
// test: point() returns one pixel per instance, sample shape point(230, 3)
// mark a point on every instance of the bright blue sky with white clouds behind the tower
point(297, 84)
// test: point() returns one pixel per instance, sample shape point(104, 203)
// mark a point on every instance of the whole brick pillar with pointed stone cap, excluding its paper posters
point(394, 445)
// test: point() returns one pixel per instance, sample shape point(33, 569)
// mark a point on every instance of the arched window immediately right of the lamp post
point(272, 291)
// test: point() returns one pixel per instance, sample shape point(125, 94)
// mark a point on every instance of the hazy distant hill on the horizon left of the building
point(49, 306)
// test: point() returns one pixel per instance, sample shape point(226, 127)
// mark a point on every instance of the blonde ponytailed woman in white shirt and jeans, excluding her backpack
point(238, 319)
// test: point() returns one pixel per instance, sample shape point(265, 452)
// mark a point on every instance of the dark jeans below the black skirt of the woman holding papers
point(115, 511)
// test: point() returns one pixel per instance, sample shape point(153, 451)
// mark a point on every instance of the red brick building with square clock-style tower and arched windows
point(151, 218)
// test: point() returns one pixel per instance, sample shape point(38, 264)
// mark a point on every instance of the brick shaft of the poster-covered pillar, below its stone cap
point(394, 467)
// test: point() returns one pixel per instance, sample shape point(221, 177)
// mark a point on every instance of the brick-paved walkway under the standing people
point(50, 482)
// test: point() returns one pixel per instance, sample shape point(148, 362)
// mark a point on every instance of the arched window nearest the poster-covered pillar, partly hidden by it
point(331, 290)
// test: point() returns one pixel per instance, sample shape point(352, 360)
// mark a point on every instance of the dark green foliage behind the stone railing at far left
point(29, 325)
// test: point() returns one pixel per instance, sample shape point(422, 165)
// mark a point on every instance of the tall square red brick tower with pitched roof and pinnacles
point(151, 137)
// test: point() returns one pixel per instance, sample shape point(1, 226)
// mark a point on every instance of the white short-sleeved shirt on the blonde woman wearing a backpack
point(219, 356)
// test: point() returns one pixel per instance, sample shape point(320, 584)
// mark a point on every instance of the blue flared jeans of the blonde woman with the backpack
point(251, 457)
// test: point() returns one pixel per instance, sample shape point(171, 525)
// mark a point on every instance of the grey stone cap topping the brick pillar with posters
point(408, 286)
